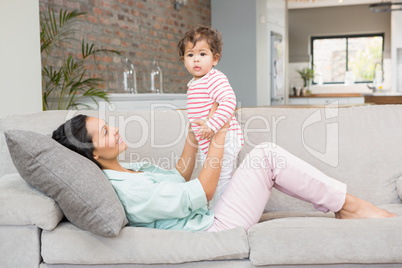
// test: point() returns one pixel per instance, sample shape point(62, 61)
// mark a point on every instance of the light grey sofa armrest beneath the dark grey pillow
point(21, 204)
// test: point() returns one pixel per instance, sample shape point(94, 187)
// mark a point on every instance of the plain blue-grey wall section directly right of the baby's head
point(236, 20)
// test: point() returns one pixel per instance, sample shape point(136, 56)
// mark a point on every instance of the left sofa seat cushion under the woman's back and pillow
point(134, 245)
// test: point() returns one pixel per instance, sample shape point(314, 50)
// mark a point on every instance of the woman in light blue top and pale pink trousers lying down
point(167, 199)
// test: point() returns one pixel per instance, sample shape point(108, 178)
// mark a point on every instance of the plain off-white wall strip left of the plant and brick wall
point(20, 62)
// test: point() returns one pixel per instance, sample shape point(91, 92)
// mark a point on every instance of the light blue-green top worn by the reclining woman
point(159, 198)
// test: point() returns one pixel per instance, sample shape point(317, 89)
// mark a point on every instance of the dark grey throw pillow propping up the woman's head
point(80, 188)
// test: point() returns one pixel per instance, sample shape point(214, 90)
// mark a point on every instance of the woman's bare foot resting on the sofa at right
point(356, 208)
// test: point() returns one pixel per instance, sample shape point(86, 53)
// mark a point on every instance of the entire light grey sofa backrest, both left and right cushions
point(361, 146)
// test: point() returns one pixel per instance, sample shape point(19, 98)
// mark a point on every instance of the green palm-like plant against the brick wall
point(68, 84)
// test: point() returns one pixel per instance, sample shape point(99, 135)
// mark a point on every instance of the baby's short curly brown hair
point(198, 33)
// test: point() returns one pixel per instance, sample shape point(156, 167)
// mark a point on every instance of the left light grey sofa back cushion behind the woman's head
point(157, 137)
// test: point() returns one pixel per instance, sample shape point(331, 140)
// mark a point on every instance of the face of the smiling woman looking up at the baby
point(107, 140)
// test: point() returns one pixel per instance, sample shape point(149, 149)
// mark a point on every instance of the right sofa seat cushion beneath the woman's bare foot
point(324, 240)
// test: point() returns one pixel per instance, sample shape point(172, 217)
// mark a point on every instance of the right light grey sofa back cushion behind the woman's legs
point(361, 146)
